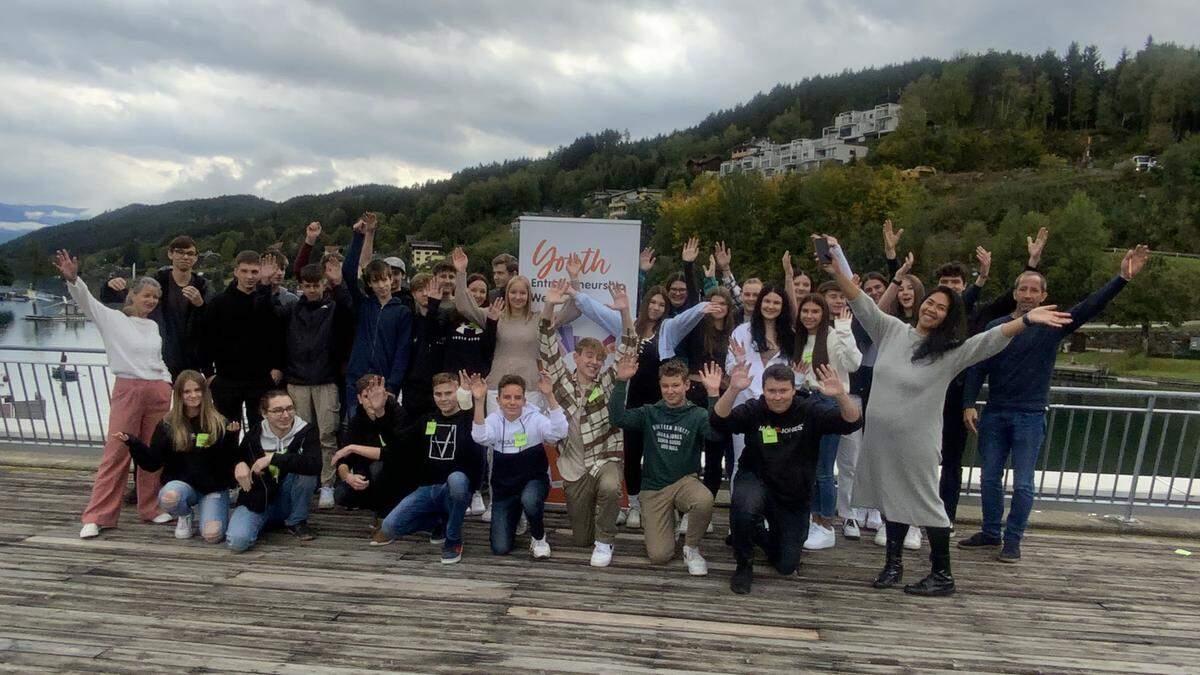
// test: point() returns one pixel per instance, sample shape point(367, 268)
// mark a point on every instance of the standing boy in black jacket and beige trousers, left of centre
point(313, 365)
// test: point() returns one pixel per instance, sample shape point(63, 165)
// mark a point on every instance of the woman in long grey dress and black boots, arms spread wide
point(898, 465)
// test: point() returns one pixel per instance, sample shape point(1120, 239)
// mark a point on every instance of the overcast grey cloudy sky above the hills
point(111, 103)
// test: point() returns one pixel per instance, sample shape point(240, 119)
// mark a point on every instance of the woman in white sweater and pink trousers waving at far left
point(140, 401)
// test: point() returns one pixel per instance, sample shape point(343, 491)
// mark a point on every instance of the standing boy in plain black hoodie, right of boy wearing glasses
point(242, 342)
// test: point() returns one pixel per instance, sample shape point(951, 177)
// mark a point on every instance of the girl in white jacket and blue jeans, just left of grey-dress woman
point(824, 341)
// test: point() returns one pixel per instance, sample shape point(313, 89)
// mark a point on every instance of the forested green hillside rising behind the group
point(1018, 141)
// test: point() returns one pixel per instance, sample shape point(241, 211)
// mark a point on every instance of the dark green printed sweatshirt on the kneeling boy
point(673, 439)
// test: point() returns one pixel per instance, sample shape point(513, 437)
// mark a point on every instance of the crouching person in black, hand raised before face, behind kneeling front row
point(369, 475)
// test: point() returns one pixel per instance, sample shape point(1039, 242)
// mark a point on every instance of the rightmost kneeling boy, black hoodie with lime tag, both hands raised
point(777, 469)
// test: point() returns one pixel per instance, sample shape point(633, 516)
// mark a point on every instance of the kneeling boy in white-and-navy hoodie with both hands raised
point(520, 471)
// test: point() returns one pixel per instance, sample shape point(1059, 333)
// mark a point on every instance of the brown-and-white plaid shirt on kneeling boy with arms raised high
point(602, 441)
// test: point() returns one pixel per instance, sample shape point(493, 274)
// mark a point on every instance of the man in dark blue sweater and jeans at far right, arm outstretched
point(1019, 391)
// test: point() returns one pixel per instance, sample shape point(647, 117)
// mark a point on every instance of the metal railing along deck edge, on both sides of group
point(1127, 447)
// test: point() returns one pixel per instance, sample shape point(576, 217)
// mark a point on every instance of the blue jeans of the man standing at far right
point(1003, 434)
